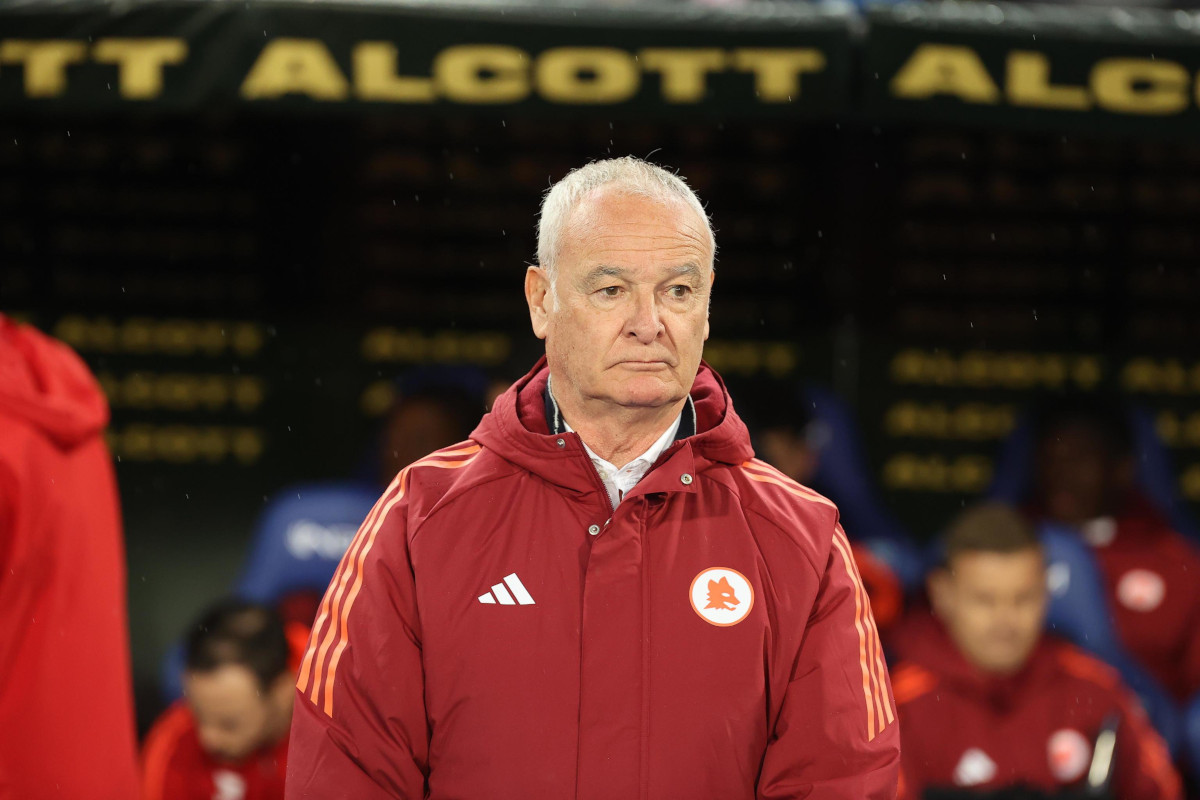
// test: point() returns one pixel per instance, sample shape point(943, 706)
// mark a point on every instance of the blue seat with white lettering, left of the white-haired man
point(297, 545)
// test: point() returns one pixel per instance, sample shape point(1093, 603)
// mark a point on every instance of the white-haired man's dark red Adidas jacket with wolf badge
point(707, 640)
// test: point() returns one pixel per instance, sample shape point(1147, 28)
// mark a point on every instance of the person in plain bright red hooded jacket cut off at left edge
point(67, 694)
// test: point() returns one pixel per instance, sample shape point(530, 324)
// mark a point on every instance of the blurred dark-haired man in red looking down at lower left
point(230, 738)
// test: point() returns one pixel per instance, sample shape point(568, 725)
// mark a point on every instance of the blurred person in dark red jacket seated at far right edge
point(1085, 480)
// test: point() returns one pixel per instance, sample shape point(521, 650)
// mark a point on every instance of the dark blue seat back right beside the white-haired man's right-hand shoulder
point(843, 474)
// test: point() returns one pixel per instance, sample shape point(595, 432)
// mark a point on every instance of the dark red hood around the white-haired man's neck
point(518, 431)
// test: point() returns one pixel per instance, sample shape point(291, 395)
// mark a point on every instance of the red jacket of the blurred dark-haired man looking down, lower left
point(176, 767)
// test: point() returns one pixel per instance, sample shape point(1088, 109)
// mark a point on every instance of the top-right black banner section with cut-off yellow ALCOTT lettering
point(1036, 68)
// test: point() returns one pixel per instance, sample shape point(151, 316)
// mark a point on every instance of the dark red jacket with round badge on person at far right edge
point(1153, 575)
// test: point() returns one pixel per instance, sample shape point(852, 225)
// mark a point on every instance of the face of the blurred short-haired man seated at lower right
point(993, 605)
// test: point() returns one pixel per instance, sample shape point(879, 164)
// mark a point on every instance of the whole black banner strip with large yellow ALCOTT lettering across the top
point(1025, 67)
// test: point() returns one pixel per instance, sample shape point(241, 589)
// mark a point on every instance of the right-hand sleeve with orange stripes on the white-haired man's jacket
point(837, 735)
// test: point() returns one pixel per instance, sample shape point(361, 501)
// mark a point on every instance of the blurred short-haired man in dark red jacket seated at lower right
point(987, 701)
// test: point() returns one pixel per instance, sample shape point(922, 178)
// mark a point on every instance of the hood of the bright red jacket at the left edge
point(44, 383)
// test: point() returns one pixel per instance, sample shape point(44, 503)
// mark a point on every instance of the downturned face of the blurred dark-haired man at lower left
point(233, 715)
